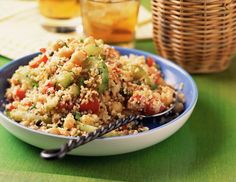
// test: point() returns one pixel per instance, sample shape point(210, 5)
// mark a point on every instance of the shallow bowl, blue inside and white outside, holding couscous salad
point(173, 74)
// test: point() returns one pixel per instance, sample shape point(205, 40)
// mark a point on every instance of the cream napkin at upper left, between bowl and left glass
point(23, 34)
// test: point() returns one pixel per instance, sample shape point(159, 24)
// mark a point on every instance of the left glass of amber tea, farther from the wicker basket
point(60, 14)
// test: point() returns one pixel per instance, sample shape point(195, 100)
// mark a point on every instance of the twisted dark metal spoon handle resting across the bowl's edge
point(74, 143)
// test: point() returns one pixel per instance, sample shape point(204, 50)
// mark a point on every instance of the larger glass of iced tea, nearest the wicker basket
point(113, 21)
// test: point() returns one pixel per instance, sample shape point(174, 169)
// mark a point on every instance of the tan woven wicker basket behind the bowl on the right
point(199, 35)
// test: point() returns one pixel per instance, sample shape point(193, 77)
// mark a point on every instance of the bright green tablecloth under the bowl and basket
point(203, 150)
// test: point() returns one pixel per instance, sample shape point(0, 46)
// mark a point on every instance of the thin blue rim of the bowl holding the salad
point(165, 61)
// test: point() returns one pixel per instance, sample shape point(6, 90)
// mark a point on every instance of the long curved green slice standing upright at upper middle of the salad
point(103, 70)
